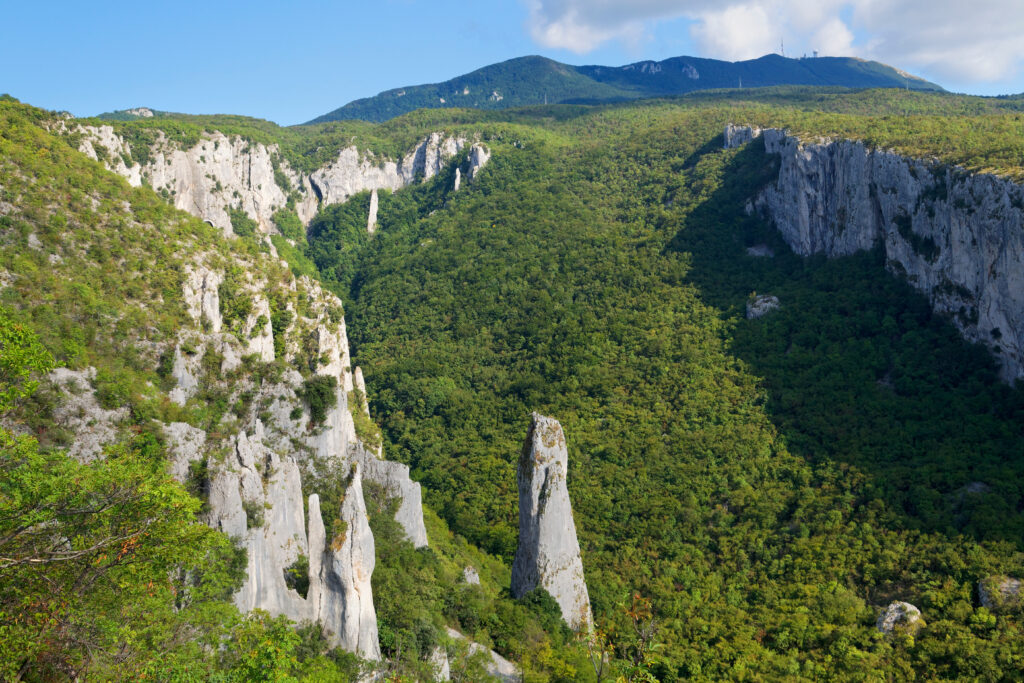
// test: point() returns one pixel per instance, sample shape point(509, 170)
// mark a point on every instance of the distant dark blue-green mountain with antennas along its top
point(536, 80)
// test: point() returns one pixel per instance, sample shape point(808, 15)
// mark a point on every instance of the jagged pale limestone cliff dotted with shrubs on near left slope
point(263, 454)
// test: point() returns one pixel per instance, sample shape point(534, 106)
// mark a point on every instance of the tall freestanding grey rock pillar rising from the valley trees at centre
point(549, 552)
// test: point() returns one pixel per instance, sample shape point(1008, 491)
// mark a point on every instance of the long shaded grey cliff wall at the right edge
point(959, 238)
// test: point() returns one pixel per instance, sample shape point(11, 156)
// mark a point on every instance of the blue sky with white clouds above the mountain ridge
point(290, 62)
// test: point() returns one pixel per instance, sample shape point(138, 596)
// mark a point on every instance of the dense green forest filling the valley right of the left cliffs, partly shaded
point(767, 485)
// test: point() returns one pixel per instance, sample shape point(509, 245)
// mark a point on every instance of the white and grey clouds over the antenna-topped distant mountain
point(974, 41)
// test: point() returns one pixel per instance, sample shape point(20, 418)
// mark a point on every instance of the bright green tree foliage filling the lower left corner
point(103, 566)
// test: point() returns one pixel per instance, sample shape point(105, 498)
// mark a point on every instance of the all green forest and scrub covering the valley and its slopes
point(749, 495)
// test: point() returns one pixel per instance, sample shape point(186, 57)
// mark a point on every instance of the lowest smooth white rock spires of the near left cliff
point(258, 498)
